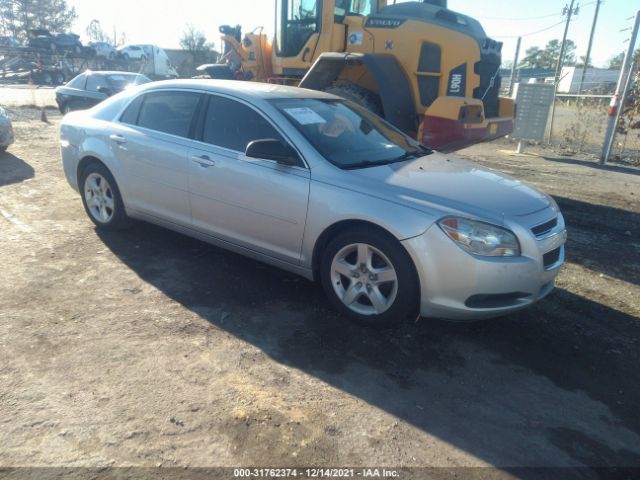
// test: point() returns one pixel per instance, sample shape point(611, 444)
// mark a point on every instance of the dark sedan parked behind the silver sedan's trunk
point(90, 88)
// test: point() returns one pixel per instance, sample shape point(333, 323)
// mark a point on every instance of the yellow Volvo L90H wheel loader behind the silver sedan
point(430, 71)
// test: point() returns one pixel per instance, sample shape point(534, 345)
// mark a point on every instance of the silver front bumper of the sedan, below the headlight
point(457, 285)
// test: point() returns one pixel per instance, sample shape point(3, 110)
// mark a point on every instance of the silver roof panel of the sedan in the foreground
point(253, 90)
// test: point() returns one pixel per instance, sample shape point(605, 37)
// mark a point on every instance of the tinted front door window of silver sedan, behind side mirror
point(233, 125)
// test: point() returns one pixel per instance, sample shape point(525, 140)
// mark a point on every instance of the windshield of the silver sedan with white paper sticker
point(348, 135)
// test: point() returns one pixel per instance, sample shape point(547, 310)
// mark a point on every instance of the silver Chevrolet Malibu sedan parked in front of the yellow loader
point(316, 185)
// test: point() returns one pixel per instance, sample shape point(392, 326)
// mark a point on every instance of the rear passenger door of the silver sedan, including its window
point(152, 143)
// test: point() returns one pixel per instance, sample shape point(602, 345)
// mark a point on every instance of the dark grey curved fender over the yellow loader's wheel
point(390, 78)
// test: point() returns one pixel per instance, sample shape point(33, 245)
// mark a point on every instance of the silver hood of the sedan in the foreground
point(438, 181)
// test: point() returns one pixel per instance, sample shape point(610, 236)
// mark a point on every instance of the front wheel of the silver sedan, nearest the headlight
point(370, 278)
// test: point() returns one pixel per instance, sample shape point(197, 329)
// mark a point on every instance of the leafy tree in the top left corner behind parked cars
point(17, 17)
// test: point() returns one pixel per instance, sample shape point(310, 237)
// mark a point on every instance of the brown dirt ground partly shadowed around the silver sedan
point(147, 348)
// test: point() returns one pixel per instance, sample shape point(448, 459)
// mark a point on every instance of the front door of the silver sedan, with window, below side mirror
point(254, 203)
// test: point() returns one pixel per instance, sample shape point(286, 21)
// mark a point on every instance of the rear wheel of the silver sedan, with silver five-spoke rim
point(101, 198)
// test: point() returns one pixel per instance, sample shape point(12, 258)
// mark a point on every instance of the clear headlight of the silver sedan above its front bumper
point(480, 238)
